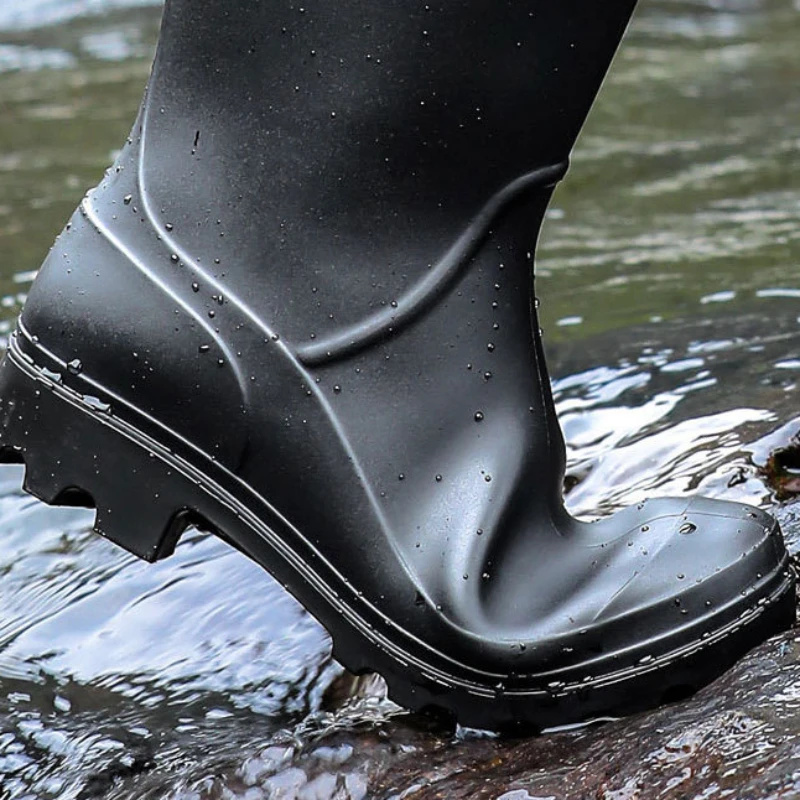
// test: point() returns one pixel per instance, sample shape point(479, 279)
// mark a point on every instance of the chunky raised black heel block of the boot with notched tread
point(75, 455)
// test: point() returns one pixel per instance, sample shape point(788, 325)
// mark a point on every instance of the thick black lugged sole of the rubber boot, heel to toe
point(77, 451)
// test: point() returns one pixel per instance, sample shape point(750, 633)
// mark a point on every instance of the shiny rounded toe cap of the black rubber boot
point(683, 577)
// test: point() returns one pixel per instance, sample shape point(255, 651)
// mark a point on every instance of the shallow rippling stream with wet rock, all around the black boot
point(669, 273)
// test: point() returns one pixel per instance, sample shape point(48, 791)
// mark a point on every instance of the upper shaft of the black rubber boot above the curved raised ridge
point(344, 147)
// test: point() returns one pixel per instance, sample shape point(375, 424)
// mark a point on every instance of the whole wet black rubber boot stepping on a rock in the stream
point(298, 311)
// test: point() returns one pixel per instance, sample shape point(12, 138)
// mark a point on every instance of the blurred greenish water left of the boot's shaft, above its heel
point(60, 126)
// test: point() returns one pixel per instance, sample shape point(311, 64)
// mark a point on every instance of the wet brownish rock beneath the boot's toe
point(739, 737)
